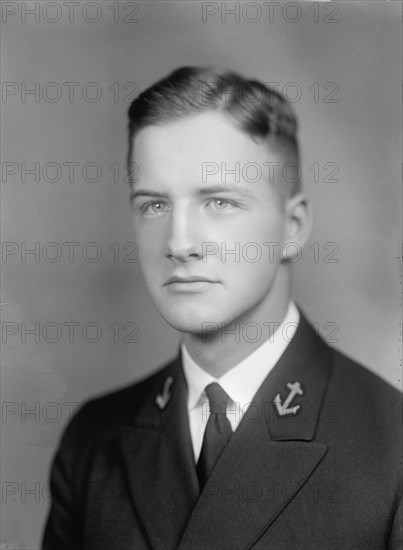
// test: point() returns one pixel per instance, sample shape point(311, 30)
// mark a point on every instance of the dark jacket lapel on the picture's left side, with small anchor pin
point(158, 460)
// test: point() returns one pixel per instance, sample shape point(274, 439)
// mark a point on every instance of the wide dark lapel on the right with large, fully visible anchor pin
point(270, 456)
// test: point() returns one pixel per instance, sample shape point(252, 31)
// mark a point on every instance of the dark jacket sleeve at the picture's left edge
point(63, 526)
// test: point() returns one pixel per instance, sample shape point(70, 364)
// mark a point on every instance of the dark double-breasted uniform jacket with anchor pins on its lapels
point(325, 477)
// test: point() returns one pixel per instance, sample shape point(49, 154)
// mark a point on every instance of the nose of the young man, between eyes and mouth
point(182, 242)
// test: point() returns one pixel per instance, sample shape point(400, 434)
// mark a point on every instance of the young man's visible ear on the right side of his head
point(299, 222)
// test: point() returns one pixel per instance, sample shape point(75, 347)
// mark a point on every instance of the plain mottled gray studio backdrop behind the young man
point(76, 318)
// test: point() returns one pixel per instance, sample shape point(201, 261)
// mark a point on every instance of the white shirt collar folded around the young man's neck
point(244, 379)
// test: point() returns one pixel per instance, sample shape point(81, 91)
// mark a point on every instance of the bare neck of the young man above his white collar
point(219, 352)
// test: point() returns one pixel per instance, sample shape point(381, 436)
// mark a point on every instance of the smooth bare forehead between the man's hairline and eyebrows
point(184, 147)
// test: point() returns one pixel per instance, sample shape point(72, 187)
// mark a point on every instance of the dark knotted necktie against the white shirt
point(218, 431)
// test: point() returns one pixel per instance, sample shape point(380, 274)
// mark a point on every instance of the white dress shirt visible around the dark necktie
point(240, 383)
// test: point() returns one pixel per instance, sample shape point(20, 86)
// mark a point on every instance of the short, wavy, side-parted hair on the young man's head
point(260, 112)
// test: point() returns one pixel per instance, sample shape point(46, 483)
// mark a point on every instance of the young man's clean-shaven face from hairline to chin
point(201, 234)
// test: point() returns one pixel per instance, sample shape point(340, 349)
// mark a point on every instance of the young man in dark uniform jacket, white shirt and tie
point(258, 435)
